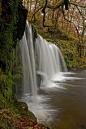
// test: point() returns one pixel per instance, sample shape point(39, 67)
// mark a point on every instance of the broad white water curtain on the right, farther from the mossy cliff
point(49, 59)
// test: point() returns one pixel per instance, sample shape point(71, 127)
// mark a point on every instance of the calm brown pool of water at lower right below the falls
point(68, 103)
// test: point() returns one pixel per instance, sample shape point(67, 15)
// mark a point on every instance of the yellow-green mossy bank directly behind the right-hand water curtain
point(68, 45)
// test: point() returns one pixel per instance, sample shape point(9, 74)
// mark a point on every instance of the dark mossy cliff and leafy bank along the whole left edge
point(13, 114)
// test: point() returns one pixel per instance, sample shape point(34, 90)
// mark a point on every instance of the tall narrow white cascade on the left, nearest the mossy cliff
point(28, 62)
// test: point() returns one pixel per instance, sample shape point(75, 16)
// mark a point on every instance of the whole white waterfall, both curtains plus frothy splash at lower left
point(43, 61)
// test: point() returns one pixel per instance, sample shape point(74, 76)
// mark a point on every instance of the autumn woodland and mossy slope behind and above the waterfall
point(62, 22)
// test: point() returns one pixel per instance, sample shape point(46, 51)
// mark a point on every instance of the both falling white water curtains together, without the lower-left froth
point(49, 63)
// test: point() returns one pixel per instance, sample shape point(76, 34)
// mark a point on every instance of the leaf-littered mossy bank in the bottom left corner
point(15, 115)
